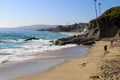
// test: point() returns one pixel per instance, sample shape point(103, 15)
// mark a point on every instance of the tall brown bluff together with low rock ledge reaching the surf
point(105, 26)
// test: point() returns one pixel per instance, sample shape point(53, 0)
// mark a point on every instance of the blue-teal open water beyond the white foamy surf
point(14, 38)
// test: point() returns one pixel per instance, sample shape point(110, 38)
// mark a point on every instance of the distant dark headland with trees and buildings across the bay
point(67, 28)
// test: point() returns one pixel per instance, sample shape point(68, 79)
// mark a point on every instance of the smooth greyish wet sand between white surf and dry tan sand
point(43, 62)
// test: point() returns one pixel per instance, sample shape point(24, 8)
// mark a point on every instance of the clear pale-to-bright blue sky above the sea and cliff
point(15, 13)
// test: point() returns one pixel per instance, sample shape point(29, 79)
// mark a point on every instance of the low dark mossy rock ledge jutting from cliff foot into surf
point(76, 40)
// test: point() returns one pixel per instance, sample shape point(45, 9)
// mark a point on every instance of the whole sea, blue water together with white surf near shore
point(13, 46)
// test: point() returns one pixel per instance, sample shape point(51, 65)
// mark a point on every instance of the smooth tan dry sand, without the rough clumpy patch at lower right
point(80, 68)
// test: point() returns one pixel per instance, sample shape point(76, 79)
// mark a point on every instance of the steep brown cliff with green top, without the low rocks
point(107, 25)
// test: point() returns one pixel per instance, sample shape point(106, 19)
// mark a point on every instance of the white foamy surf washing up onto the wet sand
point(28, 50)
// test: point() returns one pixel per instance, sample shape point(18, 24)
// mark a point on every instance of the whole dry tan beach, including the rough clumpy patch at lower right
point(94, 66)
